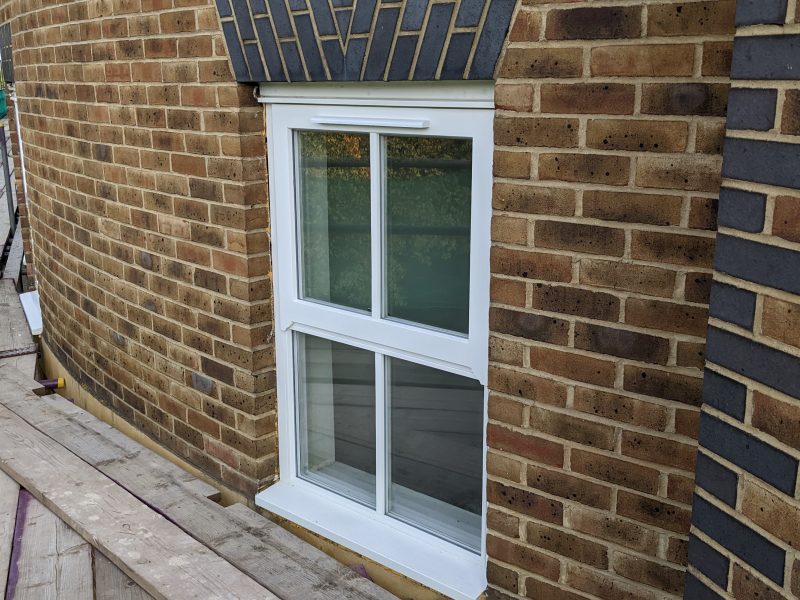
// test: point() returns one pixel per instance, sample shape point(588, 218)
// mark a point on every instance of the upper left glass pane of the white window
point(334, 187)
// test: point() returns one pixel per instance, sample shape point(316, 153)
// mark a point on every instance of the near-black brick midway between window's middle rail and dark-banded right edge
point(621, 342)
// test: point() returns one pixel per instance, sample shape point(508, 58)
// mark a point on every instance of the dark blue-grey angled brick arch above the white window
point(364, 40)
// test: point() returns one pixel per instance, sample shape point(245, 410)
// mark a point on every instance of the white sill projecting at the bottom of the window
point(445, 567)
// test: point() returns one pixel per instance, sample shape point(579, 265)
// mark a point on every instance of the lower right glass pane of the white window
point(436, 451)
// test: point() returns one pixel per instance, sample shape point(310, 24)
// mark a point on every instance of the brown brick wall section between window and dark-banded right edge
point(607, 169)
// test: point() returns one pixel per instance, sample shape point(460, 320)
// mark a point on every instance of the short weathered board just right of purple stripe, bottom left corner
point(51, 561)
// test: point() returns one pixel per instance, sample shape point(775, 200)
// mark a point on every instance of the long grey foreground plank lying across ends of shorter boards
point(162, 559)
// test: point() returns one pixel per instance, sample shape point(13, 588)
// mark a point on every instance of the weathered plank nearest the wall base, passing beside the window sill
point(279, 560)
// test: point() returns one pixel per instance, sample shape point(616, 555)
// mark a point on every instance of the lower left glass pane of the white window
point(336, 402)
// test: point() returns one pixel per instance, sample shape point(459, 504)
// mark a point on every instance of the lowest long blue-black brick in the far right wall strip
point(745, 543)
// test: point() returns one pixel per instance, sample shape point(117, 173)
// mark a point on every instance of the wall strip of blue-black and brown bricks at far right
point(746, 520)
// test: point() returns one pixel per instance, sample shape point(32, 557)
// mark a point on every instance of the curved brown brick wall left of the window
point(146, 175)
